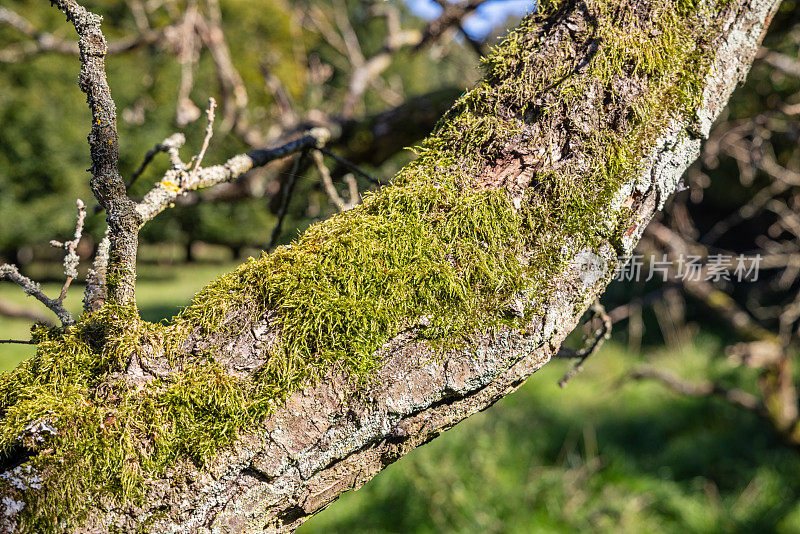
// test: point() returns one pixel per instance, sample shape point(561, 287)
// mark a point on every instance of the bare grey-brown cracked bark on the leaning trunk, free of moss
point(334, 436)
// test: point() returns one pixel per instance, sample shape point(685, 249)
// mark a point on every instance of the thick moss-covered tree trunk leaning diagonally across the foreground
point(303, 374)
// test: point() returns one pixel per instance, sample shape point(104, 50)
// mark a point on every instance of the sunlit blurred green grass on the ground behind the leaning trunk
point(602, 455)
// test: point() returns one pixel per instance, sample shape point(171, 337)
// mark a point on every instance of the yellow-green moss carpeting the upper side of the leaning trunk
point(436, 244)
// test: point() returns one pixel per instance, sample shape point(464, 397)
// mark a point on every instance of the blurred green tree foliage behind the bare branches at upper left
point(43, 149)
